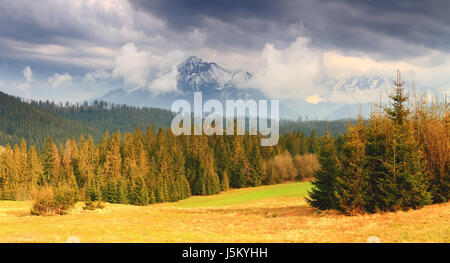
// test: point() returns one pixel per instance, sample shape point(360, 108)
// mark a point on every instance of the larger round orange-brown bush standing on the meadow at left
point(49, 201)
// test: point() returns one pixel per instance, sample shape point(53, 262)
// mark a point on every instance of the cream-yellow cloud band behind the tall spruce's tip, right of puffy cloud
point(430, 73)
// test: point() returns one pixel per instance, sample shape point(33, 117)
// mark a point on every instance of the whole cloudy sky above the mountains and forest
point(79, 49)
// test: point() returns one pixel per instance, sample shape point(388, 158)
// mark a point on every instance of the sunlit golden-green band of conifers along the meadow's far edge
point(151, 166)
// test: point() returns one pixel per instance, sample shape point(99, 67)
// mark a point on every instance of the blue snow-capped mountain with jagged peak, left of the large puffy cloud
point(193, 75)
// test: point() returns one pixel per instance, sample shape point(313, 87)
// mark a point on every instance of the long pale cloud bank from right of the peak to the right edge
point(293, 72)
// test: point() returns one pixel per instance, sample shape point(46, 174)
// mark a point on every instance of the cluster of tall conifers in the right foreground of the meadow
point(398, 160)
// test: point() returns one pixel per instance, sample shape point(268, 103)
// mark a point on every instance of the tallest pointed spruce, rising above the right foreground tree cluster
point(402, 182)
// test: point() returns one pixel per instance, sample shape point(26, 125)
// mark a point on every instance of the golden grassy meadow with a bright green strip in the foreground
point(275, 213)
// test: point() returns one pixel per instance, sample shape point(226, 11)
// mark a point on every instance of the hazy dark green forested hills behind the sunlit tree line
point(34, 121)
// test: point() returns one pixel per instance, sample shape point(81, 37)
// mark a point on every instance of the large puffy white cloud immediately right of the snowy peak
point(289, 72)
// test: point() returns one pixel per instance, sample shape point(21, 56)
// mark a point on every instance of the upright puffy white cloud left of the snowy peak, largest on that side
point(132, 65)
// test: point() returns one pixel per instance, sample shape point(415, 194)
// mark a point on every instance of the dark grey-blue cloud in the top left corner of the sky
point(49, 22)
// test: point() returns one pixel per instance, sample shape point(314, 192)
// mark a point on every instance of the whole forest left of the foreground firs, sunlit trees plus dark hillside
point(60, 145)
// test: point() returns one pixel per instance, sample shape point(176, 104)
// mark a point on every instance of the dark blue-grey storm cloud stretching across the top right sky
point(387, 28)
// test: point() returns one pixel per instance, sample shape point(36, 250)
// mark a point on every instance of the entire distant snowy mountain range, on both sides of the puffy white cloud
point(215, 82)
